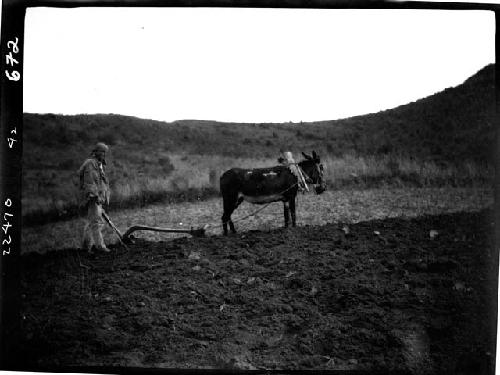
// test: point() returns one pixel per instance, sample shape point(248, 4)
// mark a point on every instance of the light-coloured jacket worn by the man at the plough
point(93, 182)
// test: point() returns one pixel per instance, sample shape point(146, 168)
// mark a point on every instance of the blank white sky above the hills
point(246, 65)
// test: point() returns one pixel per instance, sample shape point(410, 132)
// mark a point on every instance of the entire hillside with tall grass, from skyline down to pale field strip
point(446, 138)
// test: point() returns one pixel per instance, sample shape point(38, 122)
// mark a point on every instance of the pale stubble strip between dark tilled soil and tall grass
point(347, 206)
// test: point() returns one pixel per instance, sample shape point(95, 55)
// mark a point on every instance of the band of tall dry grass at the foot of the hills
point(197, 172)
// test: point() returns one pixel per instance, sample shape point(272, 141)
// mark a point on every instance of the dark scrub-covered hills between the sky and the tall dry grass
point(457, 122)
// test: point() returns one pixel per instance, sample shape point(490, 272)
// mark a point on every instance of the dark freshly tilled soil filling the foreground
point(378, 295)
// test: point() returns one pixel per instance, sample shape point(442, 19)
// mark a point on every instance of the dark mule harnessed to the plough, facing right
point(265, 185)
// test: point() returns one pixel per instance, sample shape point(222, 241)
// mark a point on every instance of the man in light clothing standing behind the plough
point(94, 190)
